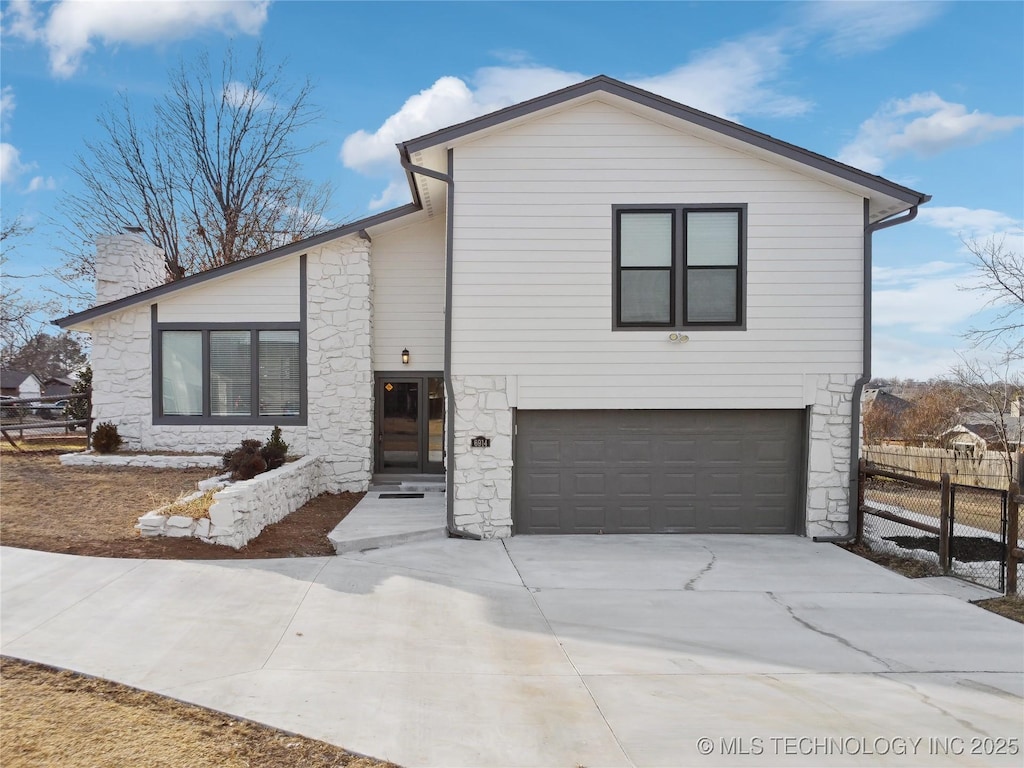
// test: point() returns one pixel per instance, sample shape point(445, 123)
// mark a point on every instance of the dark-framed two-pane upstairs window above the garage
point(678, 267)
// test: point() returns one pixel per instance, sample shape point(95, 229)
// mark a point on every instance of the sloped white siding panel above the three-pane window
point(269, 294)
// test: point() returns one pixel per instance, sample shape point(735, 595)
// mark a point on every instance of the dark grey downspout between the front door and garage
point(407, 163)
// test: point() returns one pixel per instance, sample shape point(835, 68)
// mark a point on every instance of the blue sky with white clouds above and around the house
point(930, 96)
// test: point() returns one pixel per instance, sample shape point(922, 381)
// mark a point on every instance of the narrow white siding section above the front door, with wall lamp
point(409, 297)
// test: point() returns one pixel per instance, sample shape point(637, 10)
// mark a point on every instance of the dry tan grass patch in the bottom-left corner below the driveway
point(55, 718)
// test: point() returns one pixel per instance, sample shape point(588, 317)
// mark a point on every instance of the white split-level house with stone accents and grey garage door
point(605, 312)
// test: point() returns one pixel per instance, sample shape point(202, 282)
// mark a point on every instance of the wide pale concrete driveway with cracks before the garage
point(550, 652)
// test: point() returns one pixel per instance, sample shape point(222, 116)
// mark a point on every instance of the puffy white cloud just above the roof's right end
point(924, 124)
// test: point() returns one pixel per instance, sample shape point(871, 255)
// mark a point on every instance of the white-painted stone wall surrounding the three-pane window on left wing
point(339, 375)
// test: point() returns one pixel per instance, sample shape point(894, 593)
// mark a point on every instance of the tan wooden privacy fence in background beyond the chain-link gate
point(987, 471)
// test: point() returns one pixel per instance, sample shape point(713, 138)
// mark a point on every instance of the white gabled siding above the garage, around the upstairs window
point(534, 269)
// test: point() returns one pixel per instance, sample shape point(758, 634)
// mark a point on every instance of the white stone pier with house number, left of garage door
point(483, 476)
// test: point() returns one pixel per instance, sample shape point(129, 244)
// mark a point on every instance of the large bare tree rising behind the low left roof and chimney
point(211, 176)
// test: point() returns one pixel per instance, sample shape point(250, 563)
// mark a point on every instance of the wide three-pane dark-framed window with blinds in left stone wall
point(249, 375)
